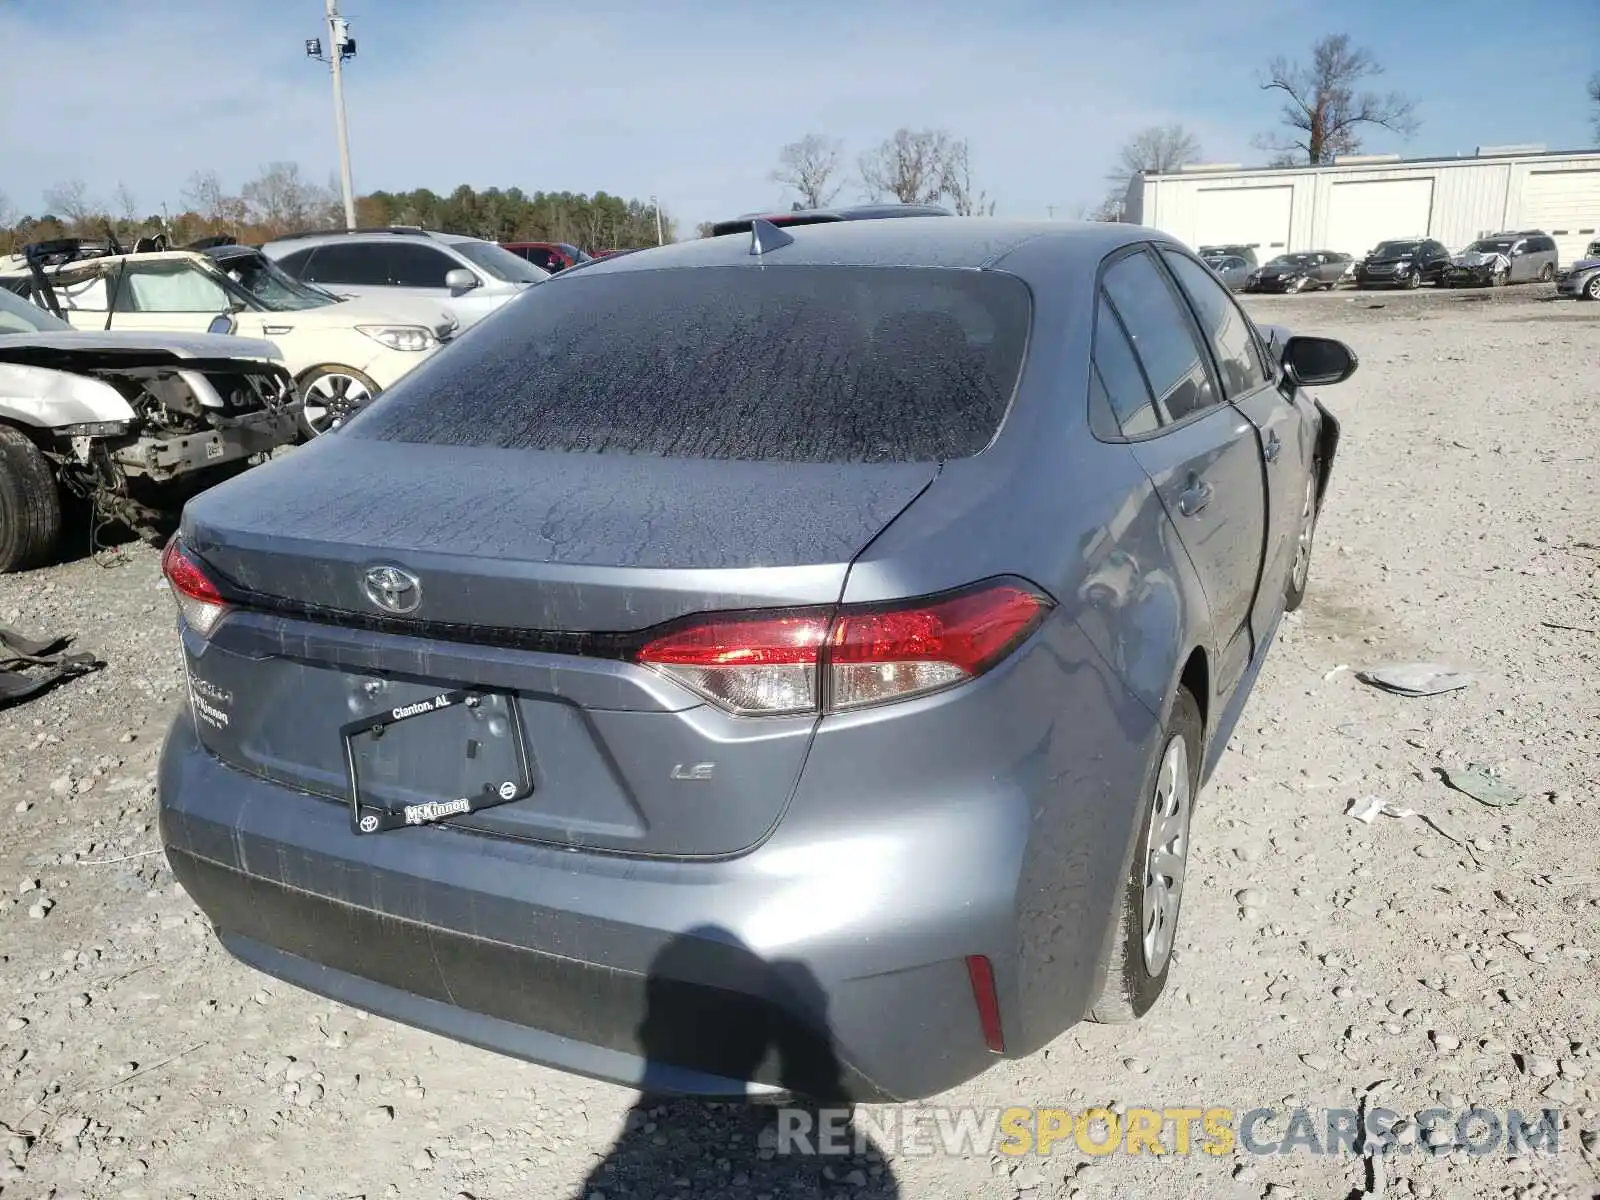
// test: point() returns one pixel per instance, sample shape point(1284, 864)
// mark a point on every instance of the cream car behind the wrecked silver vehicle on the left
point(340, 351)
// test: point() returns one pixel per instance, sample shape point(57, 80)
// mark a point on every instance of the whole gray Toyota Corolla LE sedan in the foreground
point(820, 631)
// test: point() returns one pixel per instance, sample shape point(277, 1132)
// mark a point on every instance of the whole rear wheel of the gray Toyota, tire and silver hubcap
point(1153, 895)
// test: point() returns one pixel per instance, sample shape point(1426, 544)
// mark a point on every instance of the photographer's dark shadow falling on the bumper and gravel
point(698, 1134)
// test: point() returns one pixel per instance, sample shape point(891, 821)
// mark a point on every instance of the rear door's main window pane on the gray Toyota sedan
point(1161, 335)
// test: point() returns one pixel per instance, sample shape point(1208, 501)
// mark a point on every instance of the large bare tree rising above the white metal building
point(1324, 111)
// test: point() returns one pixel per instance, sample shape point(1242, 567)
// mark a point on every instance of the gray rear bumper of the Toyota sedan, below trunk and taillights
point(831, 961)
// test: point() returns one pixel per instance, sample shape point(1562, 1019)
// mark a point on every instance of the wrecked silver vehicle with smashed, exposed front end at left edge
point(124, 428)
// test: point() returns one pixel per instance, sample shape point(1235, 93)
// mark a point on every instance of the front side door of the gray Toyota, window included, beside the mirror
point(1249, 383)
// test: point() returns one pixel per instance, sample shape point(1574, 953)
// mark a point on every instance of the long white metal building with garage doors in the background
point(1356, 202)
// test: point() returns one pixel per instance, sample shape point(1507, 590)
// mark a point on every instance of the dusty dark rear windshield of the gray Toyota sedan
point(777, 364)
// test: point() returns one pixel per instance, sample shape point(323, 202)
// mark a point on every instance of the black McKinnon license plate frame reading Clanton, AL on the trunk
point(442, 756)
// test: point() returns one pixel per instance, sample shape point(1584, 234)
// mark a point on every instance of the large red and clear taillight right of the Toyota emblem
point(767, 665)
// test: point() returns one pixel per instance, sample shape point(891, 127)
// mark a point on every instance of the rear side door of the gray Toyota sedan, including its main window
point(1202, 457)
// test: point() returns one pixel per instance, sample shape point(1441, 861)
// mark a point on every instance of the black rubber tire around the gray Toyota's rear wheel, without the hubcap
point(1132, 988)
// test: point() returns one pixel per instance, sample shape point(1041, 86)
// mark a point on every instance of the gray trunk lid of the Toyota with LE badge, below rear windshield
point(510, 545)
